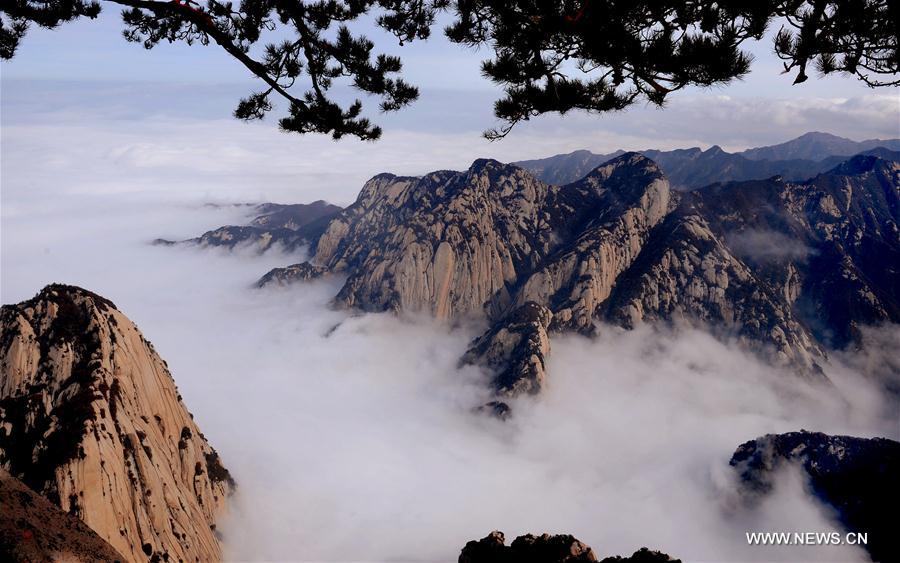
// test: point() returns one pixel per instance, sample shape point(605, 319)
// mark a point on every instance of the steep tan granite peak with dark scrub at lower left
point(92, 421)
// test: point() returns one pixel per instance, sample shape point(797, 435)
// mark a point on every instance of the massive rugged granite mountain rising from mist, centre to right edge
point(787, 268)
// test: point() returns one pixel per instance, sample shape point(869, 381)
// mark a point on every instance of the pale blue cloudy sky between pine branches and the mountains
point(84, 81)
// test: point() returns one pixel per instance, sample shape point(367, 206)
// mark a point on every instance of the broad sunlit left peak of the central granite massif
point(446, 242)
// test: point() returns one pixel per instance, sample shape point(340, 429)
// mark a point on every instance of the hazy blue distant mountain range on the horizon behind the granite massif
point(798, 159)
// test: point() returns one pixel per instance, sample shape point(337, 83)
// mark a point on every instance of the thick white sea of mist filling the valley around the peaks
point(352, 437)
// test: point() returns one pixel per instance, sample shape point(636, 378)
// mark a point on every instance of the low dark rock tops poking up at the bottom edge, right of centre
point(545, 548)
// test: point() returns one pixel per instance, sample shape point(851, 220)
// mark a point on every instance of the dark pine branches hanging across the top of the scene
point(591, 55)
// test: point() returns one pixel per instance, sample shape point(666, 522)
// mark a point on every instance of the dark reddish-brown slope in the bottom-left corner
point(34, 529)
